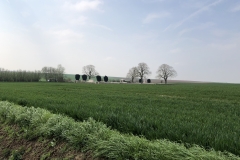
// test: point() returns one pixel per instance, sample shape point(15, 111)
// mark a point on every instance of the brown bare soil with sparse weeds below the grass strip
point(14, 146)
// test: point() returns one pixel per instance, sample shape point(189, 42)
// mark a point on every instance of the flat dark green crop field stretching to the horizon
point(203, 114)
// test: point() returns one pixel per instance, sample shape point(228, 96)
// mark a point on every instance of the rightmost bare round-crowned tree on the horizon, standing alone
point(165, 71)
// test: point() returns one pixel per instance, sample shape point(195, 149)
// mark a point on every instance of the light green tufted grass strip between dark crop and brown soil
point(98, 138)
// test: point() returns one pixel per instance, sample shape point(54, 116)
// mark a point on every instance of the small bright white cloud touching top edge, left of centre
point(83, 5)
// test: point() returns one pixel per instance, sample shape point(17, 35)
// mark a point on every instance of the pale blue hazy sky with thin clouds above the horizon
point(200, 39)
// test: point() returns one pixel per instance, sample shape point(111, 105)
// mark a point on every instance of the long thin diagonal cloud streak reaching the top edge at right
point(198, 12)
